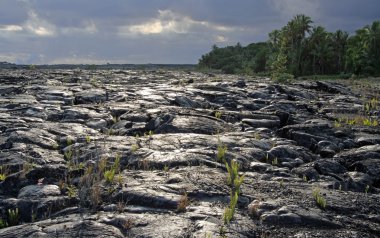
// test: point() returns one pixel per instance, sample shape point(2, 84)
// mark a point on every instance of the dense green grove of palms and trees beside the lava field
point(302, 49)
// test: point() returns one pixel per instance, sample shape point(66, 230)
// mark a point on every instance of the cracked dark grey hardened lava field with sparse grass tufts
point(140, 154)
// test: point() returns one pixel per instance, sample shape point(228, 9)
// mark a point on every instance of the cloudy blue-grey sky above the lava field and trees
point(156, 31)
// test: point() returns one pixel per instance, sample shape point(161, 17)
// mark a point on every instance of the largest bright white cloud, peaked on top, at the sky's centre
point(171, 22)
